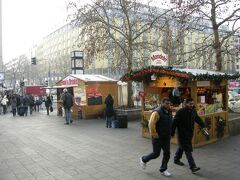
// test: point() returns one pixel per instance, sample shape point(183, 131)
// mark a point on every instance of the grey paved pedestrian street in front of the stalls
point(42, 147)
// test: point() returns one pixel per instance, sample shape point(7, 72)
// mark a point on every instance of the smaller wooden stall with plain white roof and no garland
point(89, 92)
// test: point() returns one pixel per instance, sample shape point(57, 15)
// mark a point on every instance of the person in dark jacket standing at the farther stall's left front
point(67, 99)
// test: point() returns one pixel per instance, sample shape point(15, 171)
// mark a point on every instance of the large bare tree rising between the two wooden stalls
point(116, 27)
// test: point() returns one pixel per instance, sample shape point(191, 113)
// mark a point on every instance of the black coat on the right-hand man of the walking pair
point(184, 122)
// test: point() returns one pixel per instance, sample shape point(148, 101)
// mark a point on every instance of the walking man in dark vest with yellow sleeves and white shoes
point(160, 125)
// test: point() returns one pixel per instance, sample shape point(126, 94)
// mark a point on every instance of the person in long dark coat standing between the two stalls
point(109, 111)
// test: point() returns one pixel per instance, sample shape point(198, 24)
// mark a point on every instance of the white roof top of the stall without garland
point(93, 78)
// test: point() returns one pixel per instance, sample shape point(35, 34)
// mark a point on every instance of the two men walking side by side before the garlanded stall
point(162, 127)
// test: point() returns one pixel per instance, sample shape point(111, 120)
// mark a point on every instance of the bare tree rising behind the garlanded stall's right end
point(217, 15)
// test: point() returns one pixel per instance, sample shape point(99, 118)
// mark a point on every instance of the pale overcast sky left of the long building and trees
point(25, 22)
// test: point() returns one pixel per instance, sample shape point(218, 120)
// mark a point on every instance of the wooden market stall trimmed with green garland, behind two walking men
point(208, 89)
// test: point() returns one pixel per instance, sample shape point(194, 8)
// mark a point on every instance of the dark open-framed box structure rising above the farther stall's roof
point(77, 62)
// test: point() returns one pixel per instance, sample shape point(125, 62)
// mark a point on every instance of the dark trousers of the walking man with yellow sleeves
point(158, 144)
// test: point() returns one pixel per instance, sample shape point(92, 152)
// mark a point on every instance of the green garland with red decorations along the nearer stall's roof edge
point(144, 74)
